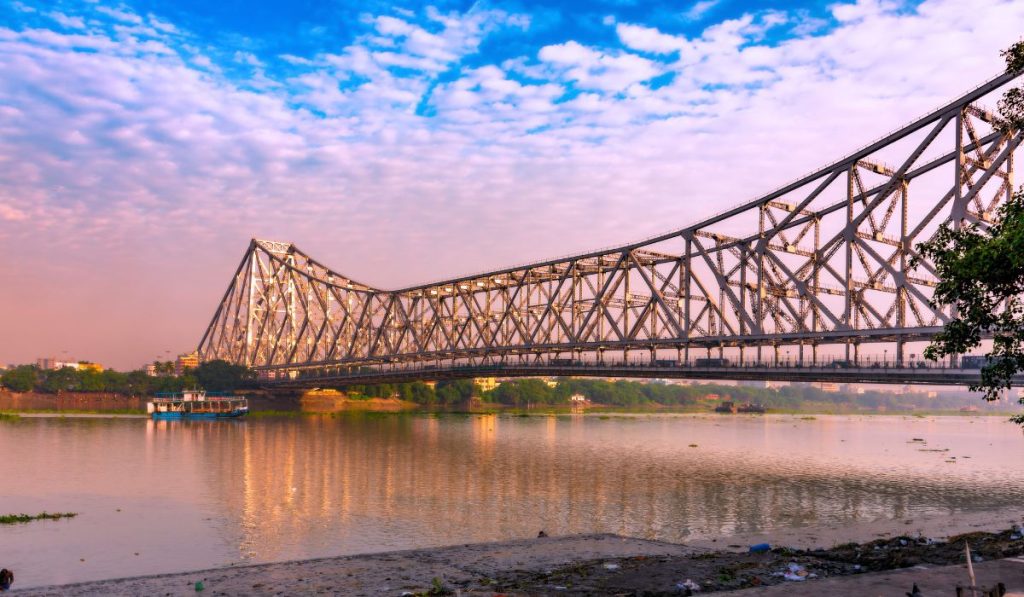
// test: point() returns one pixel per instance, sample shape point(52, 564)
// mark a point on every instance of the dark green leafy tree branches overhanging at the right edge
point(982, 273)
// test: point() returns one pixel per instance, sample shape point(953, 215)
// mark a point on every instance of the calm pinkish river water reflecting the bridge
point(192, 495)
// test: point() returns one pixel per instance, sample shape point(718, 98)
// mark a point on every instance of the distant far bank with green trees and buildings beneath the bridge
point(88, 392)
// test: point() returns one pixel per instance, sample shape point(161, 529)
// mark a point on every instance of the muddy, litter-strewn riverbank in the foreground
point(603, 565)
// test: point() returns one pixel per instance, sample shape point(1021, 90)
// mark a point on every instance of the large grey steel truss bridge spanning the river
point(795, 285)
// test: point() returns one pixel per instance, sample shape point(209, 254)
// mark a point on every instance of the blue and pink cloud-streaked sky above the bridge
point(144, 144)
